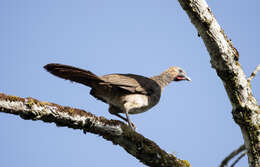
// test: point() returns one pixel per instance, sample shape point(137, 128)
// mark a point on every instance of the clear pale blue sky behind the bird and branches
point(193, 119)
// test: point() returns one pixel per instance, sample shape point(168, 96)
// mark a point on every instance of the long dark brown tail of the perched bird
point(73, 74)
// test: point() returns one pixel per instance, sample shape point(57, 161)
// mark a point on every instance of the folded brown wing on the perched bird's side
point(131, 82)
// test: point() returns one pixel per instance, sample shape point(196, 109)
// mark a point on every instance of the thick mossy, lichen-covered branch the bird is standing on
point(119, 133)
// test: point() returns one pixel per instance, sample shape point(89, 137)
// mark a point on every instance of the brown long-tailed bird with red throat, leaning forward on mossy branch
point(125, 93)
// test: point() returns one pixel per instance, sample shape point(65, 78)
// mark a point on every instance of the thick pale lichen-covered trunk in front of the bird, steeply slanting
point(224, 59)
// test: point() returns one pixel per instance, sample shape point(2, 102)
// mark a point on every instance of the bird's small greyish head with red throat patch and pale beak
point(177, 74)
